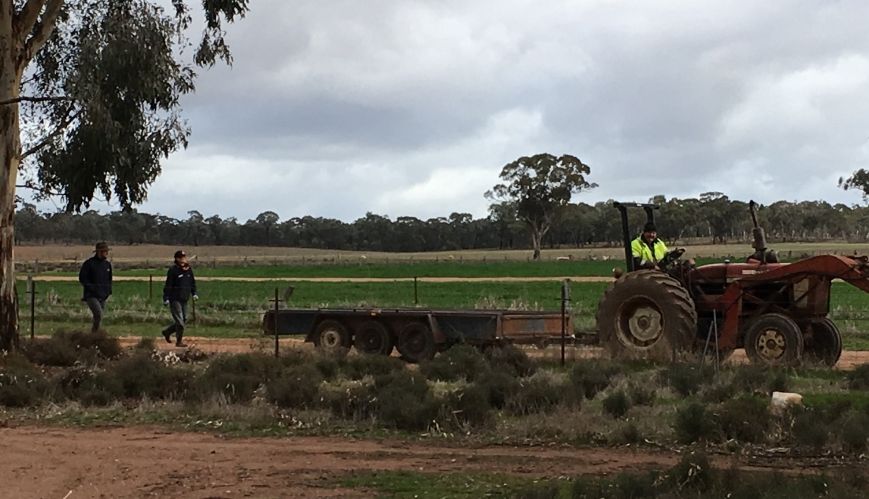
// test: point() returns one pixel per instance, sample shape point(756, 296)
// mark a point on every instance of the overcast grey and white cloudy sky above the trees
point(336, 108)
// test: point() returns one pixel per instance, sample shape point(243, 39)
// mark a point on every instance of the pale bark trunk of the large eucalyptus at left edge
point(10, 150)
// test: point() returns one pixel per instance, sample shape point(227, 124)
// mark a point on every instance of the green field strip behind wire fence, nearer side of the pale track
point(233, 309)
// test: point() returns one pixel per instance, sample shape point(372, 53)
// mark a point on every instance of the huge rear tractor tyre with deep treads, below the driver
point(647, 315)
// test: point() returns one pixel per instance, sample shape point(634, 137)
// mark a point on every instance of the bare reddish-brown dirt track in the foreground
point(147, 462)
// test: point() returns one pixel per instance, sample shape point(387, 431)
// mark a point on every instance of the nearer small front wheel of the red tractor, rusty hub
point(774, 340)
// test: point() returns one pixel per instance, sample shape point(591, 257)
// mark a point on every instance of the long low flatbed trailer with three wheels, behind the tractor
point(417, 333)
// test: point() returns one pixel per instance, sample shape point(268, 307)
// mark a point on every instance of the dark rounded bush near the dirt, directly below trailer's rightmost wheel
point(404, 400)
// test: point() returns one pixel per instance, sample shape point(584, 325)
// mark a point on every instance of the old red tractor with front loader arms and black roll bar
point(776, 311)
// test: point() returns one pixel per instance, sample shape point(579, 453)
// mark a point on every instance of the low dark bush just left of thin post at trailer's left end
point(238, 376)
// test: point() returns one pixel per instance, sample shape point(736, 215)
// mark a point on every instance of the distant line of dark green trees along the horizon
point(710, 218)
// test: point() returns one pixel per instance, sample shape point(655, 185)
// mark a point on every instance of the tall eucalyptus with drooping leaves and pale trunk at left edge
point(89, 102)
